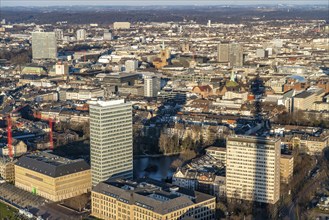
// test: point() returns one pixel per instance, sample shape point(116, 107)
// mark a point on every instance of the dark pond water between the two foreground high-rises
point(163, 164)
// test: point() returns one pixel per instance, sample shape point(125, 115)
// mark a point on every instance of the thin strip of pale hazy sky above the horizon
point(152, 2)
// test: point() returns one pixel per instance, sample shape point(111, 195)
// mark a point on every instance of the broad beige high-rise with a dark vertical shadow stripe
point(253, 168)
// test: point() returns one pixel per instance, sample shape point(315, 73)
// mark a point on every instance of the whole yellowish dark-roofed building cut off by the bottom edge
point(149, 199)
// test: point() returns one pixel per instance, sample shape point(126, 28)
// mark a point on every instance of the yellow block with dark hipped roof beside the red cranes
point(52, 177)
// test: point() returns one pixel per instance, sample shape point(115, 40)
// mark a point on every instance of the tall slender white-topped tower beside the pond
point(111, 143)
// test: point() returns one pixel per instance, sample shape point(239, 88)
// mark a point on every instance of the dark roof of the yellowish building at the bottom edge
point(157, 196)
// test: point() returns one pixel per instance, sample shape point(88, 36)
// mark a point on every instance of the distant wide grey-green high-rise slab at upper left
point(44, 45)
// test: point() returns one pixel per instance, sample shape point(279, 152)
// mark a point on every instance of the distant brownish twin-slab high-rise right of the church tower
point(231, 53)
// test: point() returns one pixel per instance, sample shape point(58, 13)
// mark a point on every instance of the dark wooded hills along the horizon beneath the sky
point(107, 15)
